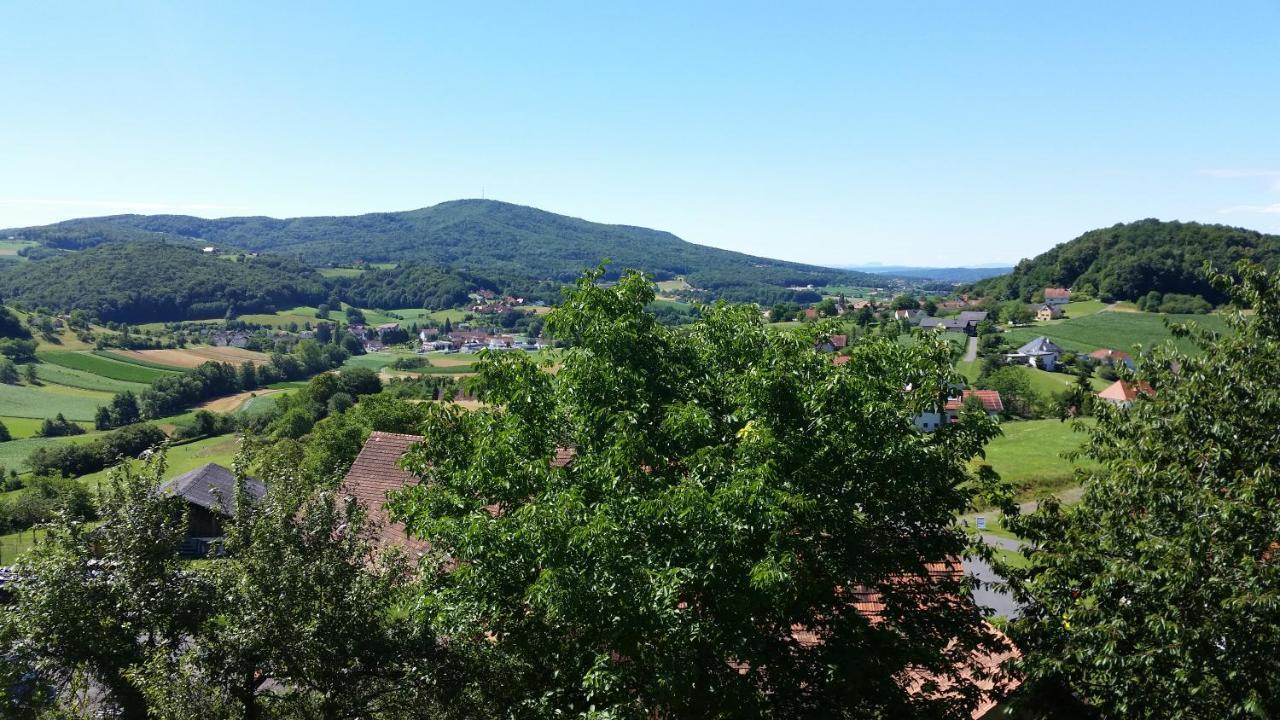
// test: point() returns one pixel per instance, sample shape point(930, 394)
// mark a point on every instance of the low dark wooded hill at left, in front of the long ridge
point(140, 282)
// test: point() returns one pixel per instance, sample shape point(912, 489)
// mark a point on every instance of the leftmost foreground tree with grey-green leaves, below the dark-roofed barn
point(92, 609)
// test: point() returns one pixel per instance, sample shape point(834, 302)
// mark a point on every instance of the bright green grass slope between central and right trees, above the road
point(1030, 455)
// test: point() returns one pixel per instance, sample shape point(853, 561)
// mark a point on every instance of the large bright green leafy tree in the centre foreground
point(730, 491)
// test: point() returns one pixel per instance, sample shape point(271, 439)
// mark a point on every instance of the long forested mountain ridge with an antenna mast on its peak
point(483, 238)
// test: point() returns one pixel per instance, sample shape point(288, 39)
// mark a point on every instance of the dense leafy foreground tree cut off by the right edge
point(1159, 595)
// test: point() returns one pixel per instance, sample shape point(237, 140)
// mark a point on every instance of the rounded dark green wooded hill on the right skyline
point(1128, 262)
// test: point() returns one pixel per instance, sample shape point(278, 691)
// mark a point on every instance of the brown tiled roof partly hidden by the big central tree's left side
point(376, 473)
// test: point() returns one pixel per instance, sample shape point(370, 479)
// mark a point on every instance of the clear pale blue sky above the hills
point(839, 134)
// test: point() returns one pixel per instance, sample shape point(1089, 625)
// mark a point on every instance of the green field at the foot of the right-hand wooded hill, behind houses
point(1118, 331)
